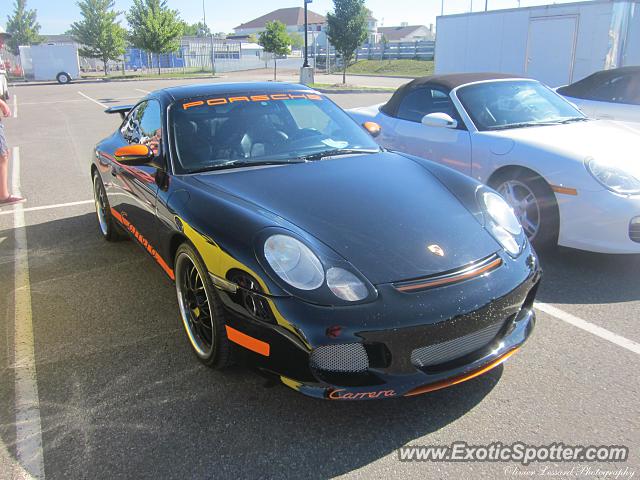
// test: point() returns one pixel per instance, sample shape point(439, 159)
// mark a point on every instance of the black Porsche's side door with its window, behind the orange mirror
point(134, 189)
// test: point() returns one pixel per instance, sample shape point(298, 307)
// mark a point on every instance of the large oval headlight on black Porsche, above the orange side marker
point(294, 262)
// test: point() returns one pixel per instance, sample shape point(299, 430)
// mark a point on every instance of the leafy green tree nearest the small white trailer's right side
point(99, 31)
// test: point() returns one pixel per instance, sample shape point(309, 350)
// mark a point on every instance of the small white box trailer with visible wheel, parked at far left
point(50, 62)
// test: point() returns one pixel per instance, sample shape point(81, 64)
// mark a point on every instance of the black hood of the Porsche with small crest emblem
point(379, 211)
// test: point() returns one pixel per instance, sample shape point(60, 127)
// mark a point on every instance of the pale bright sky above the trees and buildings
point(55, 16)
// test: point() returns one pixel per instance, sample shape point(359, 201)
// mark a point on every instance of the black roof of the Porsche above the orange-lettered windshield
point(231, 88)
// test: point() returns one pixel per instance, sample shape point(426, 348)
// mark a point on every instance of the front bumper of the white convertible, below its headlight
point(598, 221)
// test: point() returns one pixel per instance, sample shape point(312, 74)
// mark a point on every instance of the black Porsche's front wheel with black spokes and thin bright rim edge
point(200, 310)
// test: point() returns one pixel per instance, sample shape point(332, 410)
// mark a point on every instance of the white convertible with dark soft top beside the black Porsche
point(571, 180)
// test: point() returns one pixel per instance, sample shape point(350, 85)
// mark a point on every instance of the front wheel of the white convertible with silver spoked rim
point(539, 215)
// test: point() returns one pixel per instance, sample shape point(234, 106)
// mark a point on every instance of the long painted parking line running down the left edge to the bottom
point(27, 404)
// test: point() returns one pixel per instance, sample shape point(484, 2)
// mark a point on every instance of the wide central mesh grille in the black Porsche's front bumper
point(456, 348)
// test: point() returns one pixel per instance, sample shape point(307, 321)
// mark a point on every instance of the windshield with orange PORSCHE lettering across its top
point(228, 131)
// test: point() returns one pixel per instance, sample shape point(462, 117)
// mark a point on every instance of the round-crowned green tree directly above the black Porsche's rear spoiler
point(154, 27)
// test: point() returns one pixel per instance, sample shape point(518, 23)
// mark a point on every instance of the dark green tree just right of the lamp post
point(347, 29)
